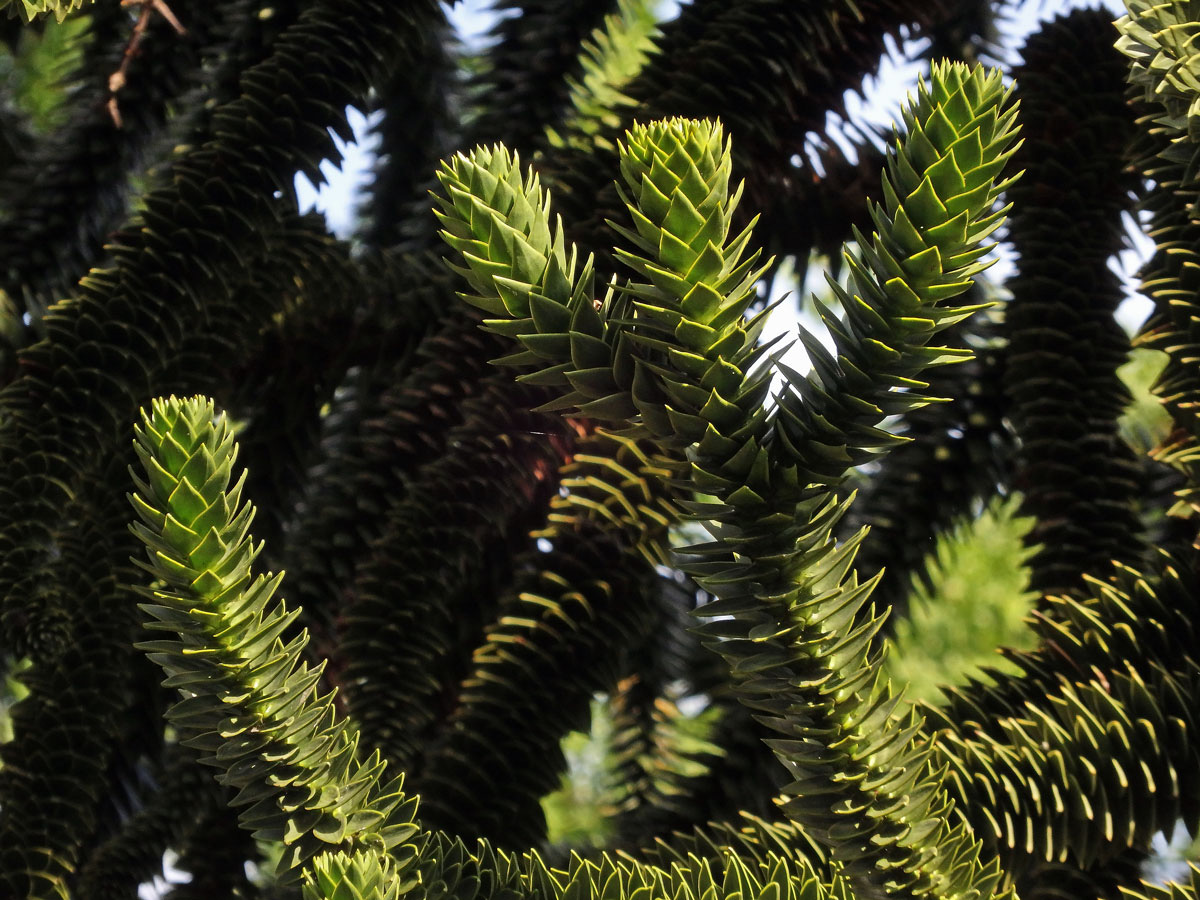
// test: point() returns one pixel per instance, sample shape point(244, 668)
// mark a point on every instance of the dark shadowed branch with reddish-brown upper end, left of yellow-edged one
point(430, 583)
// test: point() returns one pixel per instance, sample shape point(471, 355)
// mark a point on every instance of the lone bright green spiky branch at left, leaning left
point(248, 703)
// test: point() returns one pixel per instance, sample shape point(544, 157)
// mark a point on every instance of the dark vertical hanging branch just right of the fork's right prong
point(1078, 478)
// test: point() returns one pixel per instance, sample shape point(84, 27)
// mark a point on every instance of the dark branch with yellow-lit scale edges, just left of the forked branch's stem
point(501, 748)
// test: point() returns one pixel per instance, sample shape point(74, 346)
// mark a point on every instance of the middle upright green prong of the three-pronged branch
point(693, 352)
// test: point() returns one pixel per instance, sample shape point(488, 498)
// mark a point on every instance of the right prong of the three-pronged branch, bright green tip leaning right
point(940, 189)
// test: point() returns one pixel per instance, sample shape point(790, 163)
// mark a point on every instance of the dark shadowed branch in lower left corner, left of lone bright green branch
point(68, 729)
